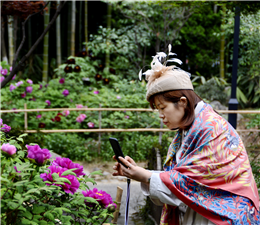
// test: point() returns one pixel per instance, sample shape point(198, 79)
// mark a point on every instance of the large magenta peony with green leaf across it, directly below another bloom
point(68, 188)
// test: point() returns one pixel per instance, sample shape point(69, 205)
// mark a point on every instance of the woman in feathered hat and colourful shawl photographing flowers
point(207, 174)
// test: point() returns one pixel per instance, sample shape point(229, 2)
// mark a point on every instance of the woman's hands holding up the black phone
point(133, 171)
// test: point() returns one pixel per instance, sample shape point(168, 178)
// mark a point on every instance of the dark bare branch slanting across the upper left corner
point(16, 68)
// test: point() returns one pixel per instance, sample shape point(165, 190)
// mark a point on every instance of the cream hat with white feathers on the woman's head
point(162, 78)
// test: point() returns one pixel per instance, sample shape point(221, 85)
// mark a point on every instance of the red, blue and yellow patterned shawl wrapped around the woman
point(213, 176)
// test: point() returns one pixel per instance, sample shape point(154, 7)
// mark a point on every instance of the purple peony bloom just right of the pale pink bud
point(39, 155)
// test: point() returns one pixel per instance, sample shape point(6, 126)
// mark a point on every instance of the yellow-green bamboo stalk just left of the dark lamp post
point(222, 45)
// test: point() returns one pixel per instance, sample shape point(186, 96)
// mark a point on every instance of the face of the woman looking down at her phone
point(171, 113)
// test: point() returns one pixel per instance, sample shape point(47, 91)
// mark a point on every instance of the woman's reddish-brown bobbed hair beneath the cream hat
point(174, 96)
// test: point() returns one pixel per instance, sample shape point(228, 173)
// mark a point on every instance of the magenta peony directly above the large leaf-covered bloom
point(68, 164)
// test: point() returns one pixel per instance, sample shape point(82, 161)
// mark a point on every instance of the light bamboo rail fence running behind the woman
point(108, 130)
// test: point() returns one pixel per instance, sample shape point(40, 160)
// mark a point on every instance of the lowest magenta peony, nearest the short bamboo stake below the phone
point(103, 198)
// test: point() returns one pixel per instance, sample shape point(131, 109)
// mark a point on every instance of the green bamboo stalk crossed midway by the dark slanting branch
point(46, 46)
